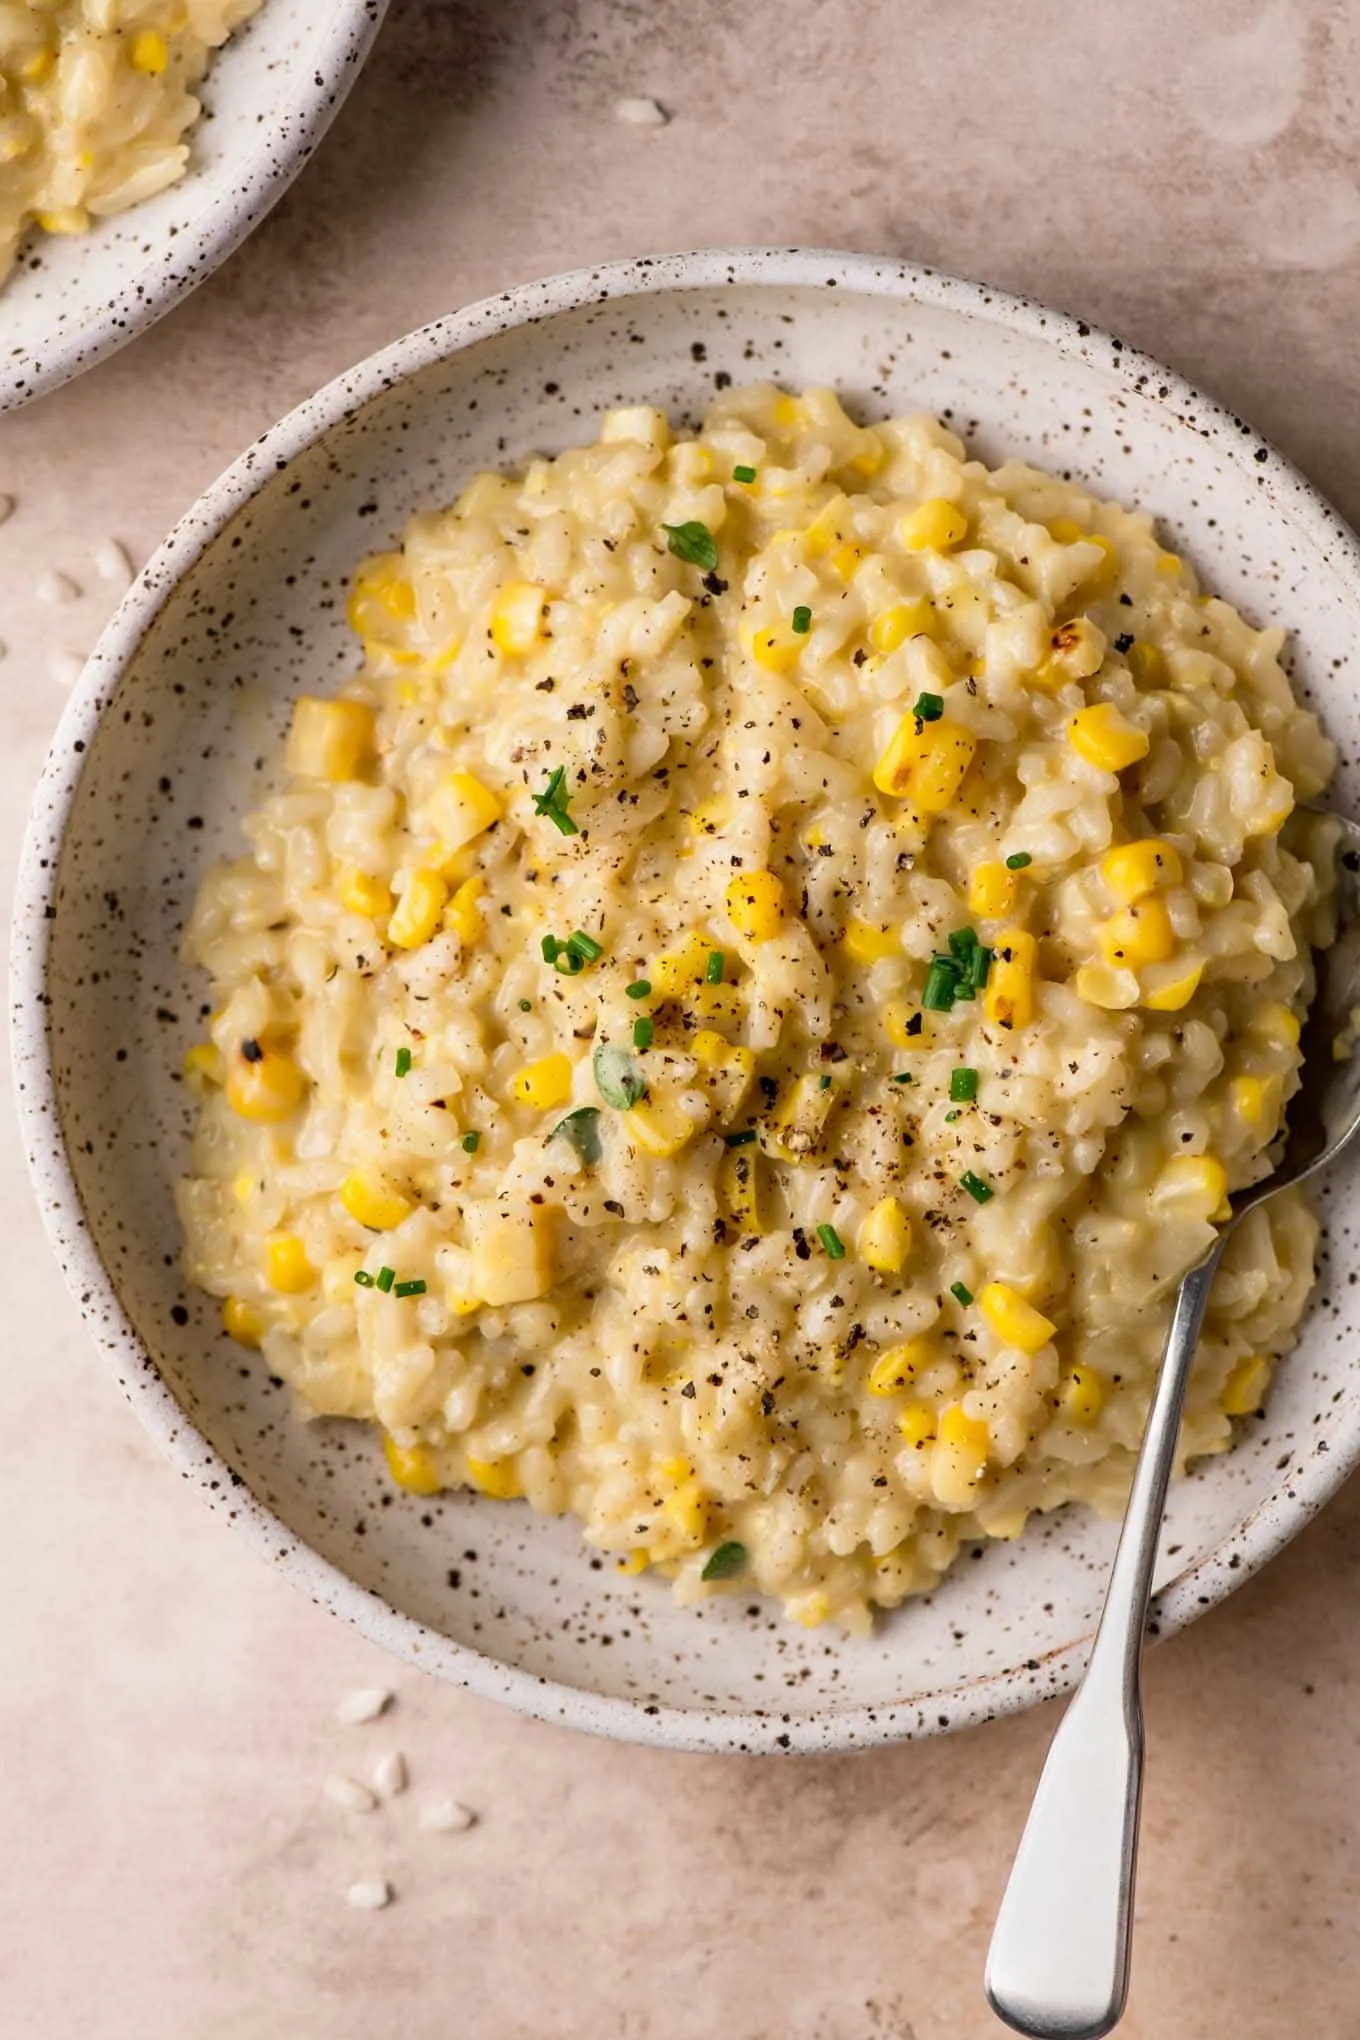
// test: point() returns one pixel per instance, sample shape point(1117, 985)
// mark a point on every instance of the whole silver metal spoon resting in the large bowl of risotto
point(1061, 1949)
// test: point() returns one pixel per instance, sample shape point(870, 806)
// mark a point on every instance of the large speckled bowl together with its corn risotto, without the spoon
point(244, 613)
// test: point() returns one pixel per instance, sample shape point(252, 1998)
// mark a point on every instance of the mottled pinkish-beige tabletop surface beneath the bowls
point(170, 1870)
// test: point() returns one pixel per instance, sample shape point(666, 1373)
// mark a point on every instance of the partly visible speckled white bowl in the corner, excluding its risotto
point(268, 99)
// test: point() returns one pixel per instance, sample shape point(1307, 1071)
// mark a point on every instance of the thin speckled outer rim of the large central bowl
point(1312, 1480)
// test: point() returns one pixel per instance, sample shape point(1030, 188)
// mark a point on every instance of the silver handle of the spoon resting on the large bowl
point(1061, 1949)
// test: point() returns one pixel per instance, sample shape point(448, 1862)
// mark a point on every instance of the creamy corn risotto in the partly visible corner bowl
point(95, 103)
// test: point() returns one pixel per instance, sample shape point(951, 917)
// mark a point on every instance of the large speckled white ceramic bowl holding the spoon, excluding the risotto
point(166, 744)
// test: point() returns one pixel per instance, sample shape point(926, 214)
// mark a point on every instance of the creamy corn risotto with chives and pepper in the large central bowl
point(749, 1001)
